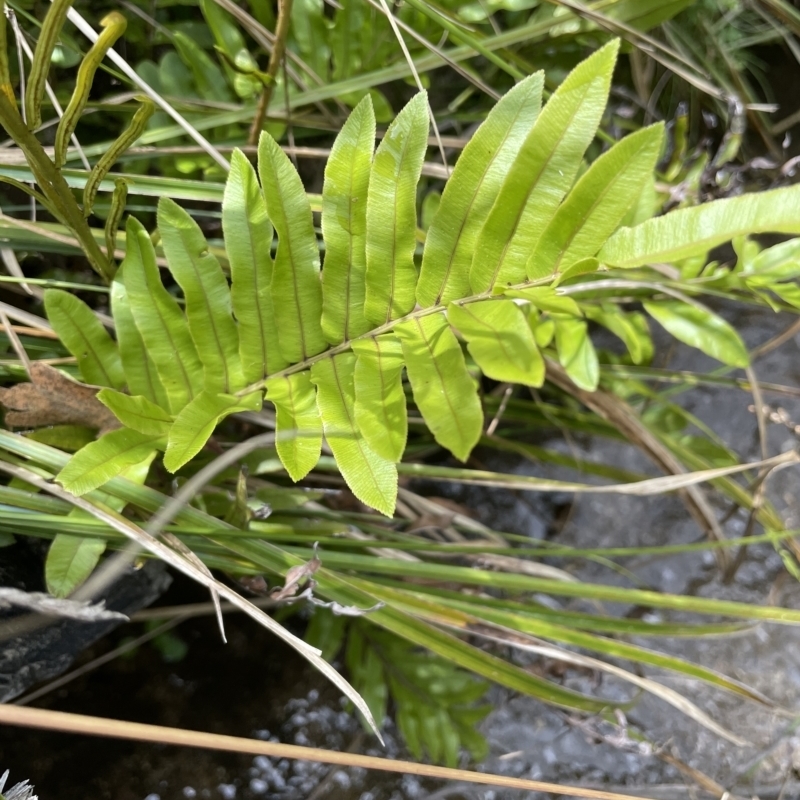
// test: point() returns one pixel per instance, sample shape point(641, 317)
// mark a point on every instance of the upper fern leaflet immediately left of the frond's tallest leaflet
point(471, 191)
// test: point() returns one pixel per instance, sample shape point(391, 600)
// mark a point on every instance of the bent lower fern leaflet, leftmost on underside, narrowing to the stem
point(196, 422)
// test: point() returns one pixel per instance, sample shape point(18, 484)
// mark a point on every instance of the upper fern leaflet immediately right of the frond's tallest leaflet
point(597, 204)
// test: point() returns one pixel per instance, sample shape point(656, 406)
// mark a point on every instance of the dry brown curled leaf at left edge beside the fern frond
point(51, 398)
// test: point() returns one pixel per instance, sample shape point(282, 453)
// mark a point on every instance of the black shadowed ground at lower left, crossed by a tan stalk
point(239, 689)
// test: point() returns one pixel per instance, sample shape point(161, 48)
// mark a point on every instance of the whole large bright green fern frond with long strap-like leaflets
point(512, 221)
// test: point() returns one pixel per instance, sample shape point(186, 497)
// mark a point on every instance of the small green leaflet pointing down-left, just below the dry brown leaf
point(106, 458)
